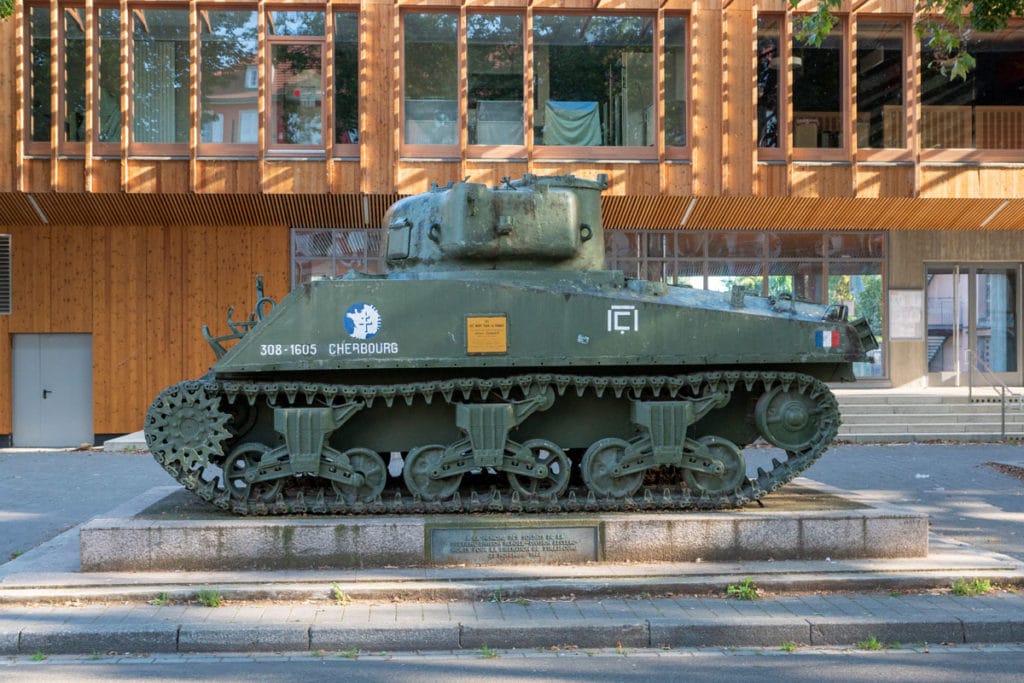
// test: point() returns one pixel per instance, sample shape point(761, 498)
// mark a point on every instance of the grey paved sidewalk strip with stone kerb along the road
point(659, 623)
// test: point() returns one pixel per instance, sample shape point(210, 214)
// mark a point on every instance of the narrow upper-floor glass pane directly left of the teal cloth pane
point(495, 72)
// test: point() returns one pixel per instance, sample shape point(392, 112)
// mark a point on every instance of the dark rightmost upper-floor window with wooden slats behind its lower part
point(984, 111)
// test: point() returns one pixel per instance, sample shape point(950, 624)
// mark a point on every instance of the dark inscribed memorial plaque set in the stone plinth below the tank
point(496, 545)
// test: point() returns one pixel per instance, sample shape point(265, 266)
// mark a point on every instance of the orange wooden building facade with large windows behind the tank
point(156, 156)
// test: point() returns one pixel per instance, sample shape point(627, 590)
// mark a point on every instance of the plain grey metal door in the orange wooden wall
point(53, 391)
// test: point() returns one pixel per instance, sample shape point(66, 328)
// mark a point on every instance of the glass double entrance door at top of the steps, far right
point(972, 325)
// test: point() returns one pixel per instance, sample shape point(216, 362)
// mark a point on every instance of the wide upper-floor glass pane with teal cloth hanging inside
point(594, 80)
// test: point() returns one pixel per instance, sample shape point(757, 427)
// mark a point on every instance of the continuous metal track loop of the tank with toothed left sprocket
point(187, 433)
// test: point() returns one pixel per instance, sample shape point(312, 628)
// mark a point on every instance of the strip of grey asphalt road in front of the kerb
point(953, 665)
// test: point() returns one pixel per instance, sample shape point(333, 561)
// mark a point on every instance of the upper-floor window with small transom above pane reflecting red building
point(295, 42)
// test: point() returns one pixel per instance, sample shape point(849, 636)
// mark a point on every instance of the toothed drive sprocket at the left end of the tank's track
point(185, 424)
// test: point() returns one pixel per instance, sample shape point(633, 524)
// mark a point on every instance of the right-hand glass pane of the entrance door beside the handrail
point(996, 327)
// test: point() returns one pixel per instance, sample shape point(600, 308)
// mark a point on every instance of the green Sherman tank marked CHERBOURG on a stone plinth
point(499, 366)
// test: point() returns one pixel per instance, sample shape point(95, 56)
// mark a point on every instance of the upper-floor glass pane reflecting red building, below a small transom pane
point(296, 95)
